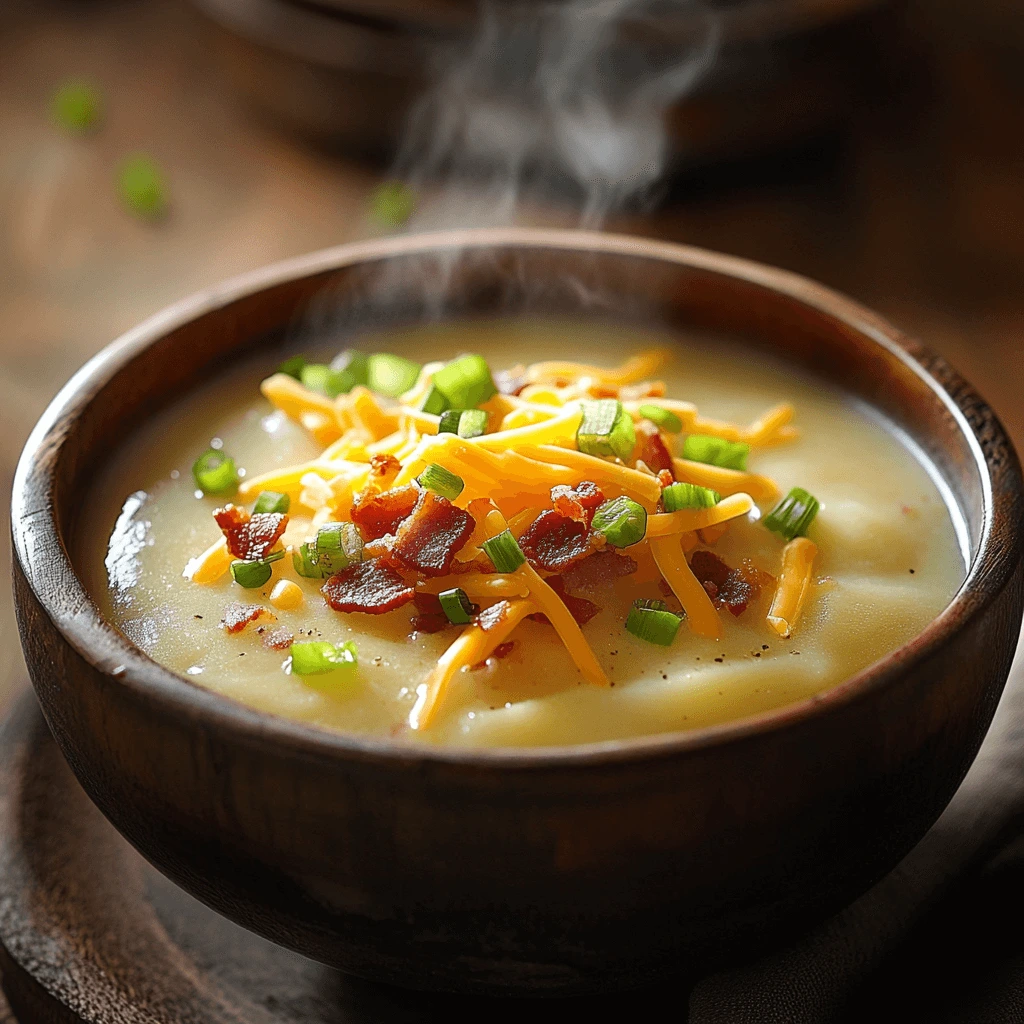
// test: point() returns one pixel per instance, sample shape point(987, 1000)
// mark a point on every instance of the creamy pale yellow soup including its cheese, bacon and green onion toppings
point(575, 533)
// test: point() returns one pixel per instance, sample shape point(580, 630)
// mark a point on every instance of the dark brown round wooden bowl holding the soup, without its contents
point(550, 871)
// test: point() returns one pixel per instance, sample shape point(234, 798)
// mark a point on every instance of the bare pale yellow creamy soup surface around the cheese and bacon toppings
point(888, 560)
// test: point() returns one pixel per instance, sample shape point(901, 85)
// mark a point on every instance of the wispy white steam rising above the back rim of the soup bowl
point(569, 96)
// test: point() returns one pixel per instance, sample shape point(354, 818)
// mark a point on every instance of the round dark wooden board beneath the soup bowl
point(91, 932)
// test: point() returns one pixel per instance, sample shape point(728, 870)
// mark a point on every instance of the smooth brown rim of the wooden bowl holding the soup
point(103, 646)
